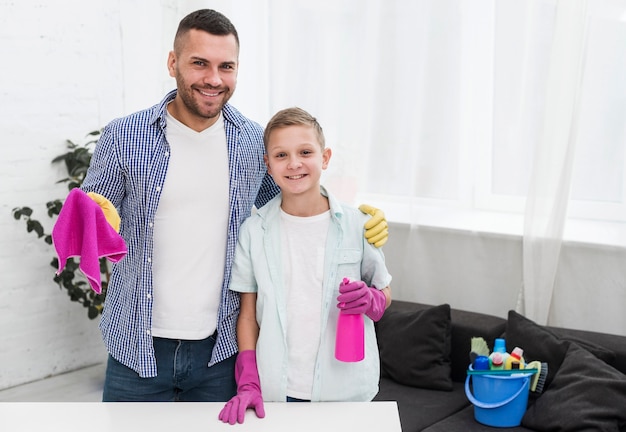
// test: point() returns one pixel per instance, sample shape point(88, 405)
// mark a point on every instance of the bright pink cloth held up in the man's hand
point(83, 231)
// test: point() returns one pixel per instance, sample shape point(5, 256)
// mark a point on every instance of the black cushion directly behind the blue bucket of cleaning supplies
point(539, 343)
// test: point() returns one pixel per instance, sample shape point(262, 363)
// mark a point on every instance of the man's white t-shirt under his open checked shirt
point(190, 229)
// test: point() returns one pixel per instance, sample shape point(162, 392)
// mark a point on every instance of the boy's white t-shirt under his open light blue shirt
point(303, 250)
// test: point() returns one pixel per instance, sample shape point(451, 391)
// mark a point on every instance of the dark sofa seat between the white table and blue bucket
point(419, 408)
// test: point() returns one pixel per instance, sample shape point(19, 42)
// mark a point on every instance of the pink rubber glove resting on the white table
point(248, 390)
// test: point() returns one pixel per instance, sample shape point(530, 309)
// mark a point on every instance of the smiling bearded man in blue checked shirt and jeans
point(184, 174)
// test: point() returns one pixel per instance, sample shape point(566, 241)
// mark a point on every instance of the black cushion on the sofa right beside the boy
point(415, 346)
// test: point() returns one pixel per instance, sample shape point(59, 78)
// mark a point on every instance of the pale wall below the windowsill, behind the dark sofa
point(482, 272)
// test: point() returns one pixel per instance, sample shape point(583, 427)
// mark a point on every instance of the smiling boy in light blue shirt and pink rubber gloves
point(290, 261)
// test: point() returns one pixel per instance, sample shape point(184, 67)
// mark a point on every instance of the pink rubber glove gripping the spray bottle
point(356, 297)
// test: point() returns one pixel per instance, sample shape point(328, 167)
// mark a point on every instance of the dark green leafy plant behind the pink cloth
point(76, 161)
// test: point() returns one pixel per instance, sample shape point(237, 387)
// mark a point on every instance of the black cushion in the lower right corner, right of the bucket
point(585, 394)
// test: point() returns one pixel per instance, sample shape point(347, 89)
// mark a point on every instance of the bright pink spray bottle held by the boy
point(350, 340)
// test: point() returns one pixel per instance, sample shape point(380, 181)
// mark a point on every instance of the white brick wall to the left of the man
point(68, 67)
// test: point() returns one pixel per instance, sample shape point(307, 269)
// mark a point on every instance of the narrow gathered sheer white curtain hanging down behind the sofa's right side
point(550, 181)
